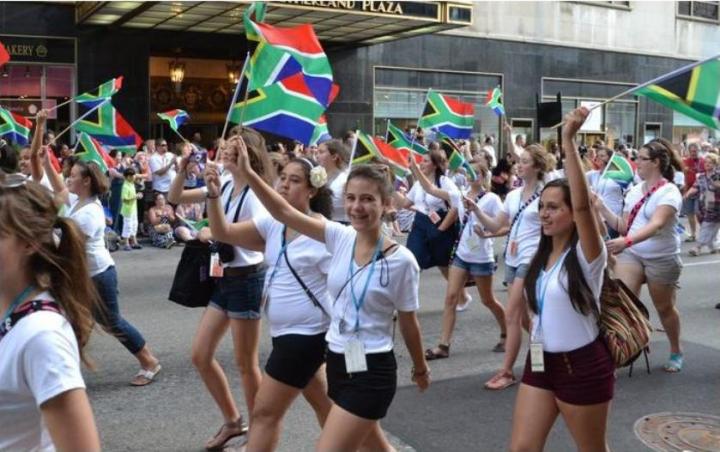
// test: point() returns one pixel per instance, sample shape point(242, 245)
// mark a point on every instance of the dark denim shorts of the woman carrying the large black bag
point(239, 297)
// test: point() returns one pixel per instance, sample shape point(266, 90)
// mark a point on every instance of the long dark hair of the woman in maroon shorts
point(580, 294)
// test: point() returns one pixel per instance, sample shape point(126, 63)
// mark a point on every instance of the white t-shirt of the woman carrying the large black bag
point(251, 208)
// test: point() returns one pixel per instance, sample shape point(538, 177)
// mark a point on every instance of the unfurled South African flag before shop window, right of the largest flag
point(447, 115)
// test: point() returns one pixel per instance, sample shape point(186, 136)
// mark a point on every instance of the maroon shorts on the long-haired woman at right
point(584, 376)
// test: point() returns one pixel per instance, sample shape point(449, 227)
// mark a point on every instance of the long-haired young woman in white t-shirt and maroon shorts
point(569, 370)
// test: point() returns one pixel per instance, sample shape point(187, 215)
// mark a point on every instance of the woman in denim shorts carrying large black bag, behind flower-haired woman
point(237, 296)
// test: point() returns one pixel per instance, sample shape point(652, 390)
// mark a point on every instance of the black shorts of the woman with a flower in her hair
point(295, 358)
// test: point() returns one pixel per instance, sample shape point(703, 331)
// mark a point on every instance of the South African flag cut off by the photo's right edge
point(694, 92)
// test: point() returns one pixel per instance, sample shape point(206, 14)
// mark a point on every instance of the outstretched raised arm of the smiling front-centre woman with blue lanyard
point(278, 207)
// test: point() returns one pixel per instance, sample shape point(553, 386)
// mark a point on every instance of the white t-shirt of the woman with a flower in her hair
point(289, 309)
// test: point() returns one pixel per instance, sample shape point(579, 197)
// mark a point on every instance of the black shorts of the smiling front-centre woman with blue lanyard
point(365, 394)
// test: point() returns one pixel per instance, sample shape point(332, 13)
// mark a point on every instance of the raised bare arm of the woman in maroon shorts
point(590, 238)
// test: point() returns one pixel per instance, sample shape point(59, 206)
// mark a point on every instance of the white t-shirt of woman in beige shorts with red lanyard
point(667, 241)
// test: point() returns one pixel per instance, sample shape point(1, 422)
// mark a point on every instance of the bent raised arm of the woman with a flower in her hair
point(243, 234)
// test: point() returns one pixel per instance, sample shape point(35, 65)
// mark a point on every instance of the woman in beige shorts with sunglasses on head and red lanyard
point(649, 247)
